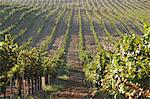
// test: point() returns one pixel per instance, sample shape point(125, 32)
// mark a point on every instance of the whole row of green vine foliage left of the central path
point(26, 63)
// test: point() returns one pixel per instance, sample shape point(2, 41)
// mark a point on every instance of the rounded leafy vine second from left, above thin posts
point(31, 63)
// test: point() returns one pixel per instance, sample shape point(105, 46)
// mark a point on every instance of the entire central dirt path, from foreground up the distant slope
point(74, 87)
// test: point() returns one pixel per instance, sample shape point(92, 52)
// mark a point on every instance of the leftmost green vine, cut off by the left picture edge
point(8, 59)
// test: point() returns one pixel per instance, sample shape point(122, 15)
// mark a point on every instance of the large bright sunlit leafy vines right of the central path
point(129, 63)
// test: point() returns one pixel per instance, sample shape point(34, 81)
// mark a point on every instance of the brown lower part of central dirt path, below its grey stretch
point(75, 86)
